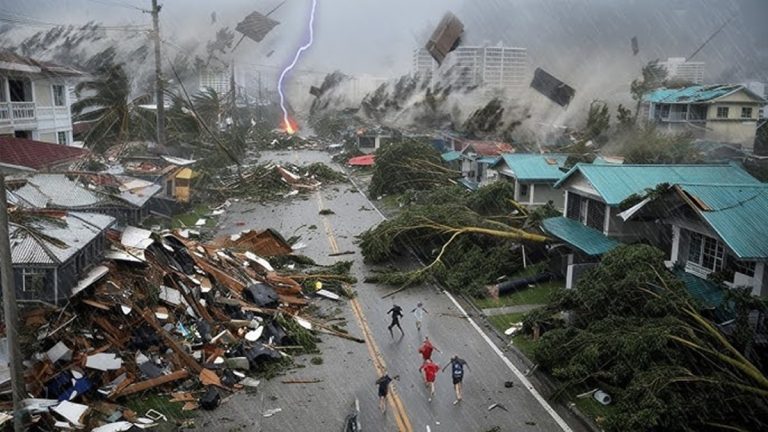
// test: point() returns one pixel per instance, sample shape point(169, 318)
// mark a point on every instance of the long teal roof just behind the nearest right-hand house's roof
point(615, 183)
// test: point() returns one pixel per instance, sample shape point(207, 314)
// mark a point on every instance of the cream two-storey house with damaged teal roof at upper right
point(724, 113)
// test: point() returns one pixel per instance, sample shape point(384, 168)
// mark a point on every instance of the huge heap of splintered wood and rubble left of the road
point(170, 315)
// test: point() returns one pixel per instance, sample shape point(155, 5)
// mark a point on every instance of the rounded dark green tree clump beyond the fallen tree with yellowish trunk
point(405, 165)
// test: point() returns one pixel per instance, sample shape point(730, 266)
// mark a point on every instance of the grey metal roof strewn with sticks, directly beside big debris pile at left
point(75, 230)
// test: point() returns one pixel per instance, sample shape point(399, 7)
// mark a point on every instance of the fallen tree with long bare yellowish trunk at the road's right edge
point(468, 239)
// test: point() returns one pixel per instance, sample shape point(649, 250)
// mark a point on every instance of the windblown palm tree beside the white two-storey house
point(115, 116)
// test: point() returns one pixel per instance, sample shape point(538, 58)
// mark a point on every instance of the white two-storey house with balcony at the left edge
point(34, 99)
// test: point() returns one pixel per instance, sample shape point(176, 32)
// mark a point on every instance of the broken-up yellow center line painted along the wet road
point(401, 416)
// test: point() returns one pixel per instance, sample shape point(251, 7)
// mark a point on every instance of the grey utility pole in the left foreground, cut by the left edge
point(10, 313)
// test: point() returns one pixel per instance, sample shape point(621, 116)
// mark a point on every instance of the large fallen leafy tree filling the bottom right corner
point(636, 333)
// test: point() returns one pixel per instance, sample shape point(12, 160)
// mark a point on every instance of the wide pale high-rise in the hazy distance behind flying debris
point(486, 66)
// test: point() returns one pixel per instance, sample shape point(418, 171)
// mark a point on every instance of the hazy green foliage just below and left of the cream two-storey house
point(647, 145)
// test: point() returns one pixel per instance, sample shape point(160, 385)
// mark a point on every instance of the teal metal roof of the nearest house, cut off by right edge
point(737, 213)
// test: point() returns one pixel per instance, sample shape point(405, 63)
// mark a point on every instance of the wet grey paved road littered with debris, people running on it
point(350, 369)
